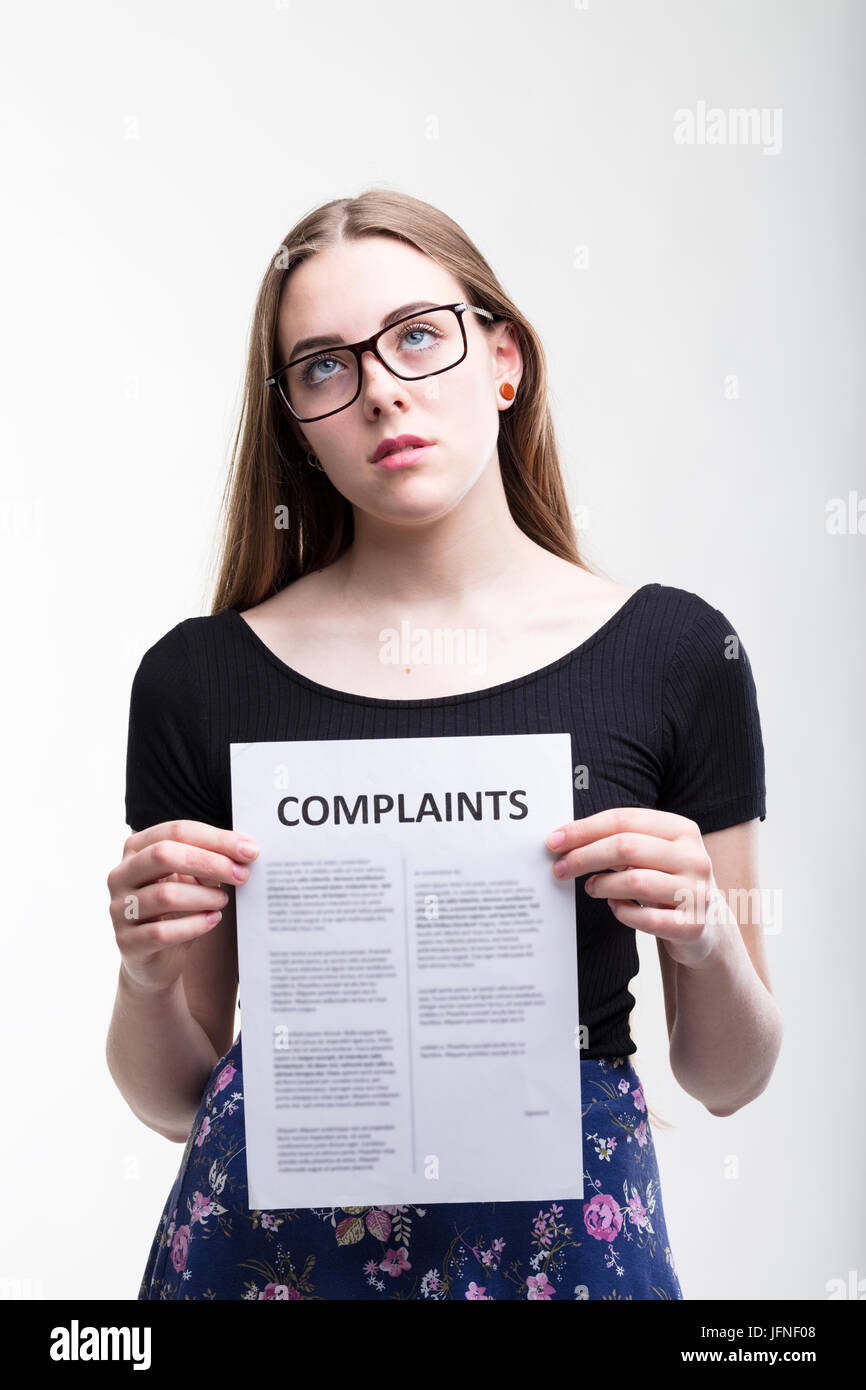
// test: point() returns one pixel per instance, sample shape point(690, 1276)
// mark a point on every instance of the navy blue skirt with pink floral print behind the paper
point(611, 1245)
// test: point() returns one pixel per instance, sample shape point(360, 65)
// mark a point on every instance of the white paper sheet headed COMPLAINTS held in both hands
point(408, 979)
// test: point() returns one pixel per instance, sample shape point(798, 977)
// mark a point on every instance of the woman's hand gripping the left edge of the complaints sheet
point(163, 892)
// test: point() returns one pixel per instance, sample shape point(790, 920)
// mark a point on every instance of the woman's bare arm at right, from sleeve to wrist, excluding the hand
point(724, 1021)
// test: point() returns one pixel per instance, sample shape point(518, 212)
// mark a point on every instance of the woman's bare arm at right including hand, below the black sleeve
point(701, 899)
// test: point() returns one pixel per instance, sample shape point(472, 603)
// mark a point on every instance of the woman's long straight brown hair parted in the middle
point(269, 475)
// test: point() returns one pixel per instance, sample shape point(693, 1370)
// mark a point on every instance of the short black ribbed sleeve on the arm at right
point(712, 742)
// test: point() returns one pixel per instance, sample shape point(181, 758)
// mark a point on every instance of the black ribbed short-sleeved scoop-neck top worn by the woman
point(661, 705)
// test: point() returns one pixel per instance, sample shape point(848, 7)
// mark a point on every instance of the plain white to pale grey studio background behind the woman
point(155, 158)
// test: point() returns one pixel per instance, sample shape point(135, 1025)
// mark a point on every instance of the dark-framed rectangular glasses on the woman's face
point(419, 345)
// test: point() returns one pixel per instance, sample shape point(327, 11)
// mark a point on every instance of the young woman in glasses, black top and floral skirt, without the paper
point(397, 459)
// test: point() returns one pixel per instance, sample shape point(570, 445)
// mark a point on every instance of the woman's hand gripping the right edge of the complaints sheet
point(655, 874)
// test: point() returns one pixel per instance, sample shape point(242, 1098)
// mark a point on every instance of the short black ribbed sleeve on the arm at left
point(168, 776)
